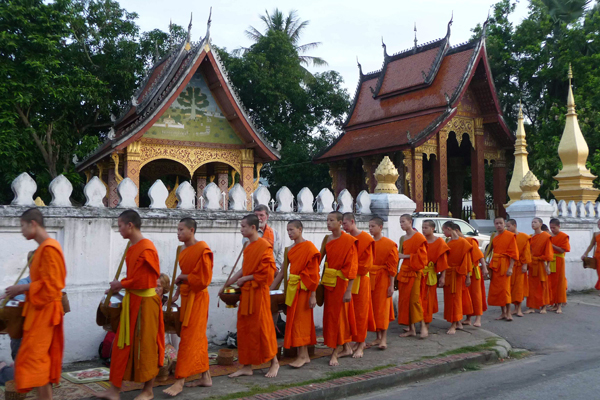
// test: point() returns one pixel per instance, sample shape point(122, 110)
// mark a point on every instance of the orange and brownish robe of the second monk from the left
point(140, 360)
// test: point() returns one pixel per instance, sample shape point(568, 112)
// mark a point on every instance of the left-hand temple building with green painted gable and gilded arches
point(185, 120)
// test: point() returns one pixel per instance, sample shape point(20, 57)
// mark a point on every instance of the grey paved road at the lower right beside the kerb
point(565, 362)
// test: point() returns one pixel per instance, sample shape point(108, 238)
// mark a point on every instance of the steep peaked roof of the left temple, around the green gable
point(166, 79)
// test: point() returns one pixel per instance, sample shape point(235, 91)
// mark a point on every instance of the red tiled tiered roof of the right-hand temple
point(413, 96)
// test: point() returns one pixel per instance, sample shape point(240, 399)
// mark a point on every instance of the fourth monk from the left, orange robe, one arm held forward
point(257, 342)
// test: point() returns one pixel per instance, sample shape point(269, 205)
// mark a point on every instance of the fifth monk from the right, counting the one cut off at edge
point(506, 253)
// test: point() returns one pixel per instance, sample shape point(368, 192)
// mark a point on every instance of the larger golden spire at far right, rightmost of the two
point(575, 181)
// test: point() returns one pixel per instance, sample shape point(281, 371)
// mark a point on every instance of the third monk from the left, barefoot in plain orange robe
point(196, 262)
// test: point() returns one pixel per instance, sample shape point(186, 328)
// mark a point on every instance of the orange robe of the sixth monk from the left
point(338, 317)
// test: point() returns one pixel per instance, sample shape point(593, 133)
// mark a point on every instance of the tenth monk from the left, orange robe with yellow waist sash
point(437, 254)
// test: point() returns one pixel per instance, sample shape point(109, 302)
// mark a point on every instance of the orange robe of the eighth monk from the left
point(385, 267)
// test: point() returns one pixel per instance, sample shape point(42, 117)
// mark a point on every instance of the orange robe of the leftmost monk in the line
point(39, 360)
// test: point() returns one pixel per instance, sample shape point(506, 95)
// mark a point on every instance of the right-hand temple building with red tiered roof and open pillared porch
point(434, 111)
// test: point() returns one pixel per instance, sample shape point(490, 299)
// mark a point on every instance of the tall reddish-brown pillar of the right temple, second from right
point(478, 171)
